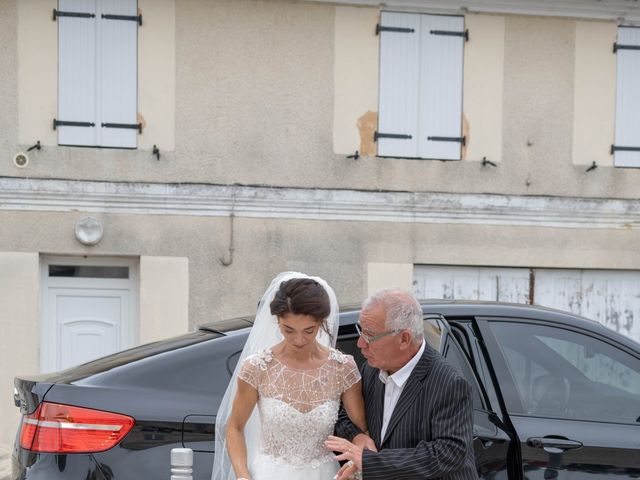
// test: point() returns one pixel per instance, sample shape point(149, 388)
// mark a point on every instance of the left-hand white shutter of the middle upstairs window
point(399, 76)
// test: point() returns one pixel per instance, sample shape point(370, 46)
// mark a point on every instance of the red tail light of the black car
point(57, 428)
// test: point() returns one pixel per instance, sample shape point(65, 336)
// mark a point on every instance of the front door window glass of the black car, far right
point(562, 373)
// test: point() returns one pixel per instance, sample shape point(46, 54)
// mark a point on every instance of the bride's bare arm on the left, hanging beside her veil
point(243, 404)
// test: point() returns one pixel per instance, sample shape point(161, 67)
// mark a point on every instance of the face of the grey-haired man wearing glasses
point(382, 352)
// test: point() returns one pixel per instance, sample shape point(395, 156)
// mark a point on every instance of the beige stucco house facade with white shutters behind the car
point(480, 150)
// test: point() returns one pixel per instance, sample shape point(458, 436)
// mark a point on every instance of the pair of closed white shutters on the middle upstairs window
point(420, 104)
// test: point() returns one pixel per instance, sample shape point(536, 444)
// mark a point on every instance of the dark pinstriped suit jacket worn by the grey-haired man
point(429, 434)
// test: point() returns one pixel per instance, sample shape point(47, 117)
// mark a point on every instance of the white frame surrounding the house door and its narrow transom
point(129, 337)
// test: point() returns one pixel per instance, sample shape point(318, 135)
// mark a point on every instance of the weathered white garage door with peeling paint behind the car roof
point(611, 297)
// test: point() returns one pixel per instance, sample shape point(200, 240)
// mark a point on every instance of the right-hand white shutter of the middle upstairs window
point(440, 95)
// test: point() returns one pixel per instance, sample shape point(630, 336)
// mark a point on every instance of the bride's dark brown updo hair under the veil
point(301, 296)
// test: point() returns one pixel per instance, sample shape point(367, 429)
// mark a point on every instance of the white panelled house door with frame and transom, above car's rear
point(89, 309)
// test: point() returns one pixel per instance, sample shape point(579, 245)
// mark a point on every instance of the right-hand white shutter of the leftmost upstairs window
point(116, 74)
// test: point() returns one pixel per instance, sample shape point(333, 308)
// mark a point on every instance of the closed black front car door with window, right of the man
point(573, 397)
